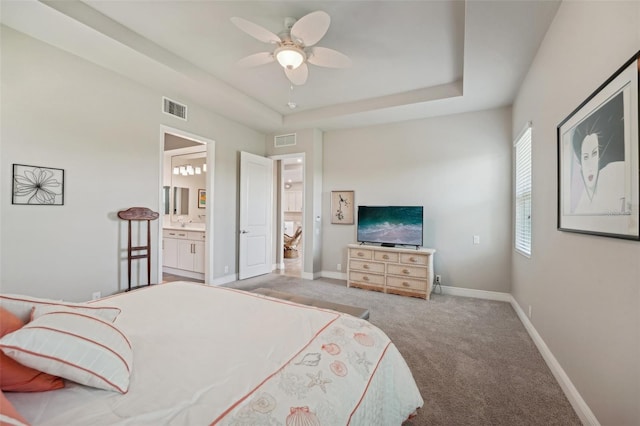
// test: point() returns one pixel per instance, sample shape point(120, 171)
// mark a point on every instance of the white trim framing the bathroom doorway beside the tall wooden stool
point(210, 181)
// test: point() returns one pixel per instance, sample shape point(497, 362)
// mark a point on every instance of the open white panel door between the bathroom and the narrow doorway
point(256, 205)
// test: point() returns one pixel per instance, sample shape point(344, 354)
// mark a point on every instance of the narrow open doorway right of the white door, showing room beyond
point(292, 208)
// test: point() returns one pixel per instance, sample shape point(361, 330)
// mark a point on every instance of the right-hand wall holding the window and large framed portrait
point(584, 290)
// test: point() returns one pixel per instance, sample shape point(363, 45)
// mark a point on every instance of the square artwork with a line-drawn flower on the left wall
point(37, 186)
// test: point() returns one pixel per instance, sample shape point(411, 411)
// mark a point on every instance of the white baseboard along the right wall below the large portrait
point(577, 402)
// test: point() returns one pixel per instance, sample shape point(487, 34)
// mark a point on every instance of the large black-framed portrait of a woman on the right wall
point(598, 160)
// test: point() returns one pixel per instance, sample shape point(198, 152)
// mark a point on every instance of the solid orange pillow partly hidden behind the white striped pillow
point(15, 377)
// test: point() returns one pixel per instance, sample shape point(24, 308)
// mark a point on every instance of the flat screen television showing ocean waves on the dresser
point(390, 225)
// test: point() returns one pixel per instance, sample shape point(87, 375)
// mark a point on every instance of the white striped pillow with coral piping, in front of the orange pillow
point(76, 346)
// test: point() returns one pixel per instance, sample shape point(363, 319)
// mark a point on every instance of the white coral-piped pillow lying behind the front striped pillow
point(21, 306)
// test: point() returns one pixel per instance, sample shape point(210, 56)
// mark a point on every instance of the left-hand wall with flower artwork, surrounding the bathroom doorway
point(104, 130)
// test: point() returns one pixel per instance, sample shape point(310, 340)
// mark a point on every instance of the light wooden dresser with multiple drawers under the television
point(403, 271)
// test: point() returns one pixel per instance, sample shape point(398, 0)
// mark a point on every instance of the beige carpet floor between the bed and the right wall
point(472, 359)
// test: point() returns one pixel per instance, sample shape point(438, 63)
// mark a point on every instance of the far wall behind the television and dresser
point(458, 167)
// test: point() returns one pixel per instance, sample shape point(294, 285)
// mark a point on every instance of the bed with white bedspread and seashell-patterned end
point(204, 355)
